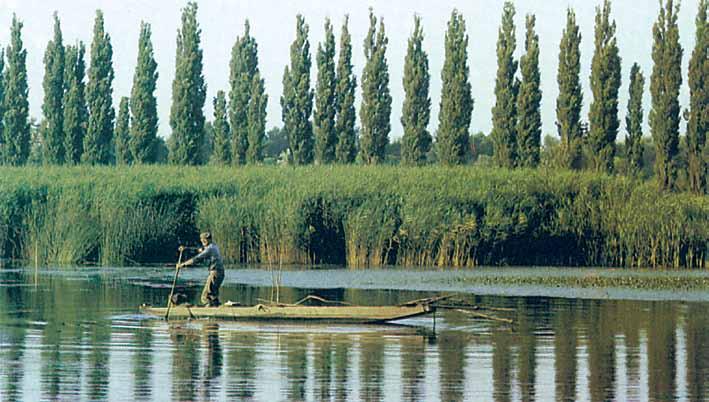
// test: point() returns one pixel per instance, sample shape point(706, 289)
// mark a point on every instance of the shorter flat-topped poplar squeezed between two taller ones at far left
point(76, 114)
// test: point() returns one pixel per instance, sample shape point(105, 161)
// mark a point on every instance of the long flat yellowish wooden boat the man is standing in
point(281, 312)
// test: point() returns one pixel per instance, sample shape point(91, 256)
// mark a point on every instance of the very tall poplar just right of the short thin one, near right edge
point(665, 81)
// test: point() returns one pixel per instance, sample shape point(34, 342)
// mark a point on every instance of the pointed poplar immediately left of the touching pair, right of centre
point(456, 104)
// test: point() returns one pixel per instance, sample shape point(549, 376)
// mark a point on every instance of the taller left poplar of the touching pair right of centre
point(504, 113)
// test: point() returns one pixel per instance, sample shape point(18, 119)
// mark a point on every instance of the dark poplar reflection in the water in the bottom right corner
point(697, 330)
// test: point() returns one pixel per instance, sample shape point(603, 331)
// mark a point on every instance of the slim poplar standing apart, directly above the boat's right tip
point(416, 110)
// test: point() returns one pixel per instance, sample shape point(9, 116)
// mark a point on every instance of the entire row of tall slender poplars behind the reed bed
point(78, 124)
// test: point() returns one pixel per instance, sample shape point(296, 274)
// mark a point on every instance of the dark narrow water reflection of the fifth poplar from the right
point(565, 344)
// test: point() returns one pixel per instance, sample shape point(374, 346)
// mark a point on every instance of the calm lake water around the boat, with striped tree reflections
point(76, 334)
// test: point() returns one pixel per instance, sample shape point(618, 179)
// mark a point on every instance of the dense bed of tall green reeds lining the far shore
point(355, 215)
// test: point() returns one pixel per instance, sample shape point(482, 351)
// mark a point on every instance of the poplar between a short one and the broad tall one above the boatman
point(143, 104)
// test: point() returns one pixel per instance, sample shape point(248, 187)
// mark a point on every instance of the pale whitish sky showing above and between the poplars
point(273, 26)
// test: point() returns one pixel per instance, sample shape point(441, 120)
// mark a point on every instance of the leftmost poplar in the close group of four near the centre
point(297, 99)
